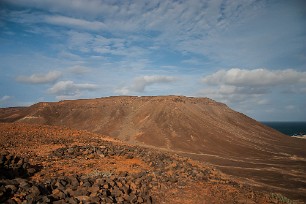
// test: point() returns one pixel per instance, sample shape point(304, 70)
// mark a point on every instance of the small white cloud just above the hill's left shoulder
point(70, 88)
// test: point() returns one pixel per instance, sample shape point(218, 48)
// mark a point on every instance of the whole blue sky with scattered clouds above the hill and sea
point(250, 55)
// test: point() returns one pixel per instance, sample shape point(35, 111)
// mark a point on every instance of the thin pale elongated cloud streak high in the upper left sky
point(74, 22)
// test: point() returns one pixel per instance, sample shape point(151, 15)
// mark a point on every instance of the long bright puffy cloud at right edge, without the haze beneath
point(255, 77)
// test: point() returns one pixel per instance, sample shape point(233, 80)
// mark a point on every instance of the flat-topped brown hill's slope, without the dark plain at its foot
point(197, 125)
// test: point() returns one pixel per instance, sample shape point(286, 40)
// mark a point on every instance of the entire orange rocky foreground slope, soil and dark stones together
point(44, 164)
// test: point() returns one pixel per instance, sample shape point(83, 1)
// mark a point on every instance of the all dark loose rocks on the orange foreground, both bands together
point(98, 186)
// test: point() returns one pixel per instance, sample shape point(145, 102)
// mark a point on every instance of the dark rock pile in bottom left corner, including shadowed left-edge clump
point(93, 188)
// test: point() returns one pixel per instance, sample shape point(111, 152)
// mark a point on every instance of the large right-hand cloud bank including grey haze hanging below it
point(244, 88)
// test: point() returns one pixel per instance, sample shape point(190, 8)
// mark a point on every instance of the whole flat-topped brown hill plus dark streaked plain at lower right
point(196, 127)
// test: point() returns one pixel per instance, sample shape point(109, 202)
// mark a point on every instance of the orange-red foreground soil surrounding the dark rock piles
point(39, 143)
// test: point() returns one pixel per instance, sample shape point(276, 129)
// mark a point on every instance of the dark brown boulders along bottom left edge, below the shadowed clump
point(73, 189)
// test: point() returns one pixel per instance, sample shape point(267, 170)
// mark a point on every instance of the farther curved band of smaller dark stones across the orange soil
point(164, 167)
